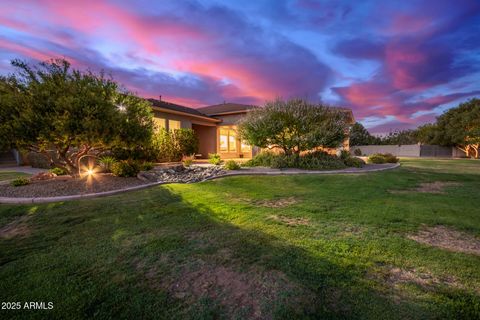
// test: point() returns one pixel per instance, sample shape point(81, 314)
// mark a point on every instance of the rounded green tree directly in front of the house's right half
point(294, 126)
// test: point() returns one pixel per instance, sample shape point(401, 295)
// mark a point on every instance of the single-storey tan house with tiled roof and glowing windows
point(215, 126)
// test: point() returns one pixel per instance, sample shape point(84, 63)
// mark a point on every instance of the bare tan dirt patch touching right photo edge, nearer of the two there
point(446, 238)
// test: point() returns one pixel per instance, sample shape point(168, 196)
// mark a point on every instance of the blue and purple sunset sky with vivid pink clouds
point(396, 64)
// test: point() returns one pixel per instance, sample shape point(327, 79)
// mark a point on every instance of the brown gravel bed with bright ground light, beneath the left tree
point(66, 187)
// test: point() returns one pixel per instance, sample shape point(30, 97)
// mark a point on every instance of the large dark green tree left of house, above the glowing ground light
point(66, 114)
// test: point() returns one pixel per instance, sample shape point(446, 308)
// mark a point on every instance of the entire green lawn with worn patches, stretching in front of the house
point(279, 247)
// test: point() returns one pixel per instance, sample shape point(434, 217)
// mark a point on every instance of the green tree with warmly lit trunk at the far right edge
point(460, 127)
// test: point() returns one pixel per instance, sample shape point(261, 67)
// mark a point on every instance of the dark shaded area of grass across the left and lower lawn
point(152, 255)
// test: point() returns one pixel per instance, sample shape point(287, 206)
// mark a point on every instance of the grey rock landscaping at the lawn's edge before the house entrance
point(181, 174)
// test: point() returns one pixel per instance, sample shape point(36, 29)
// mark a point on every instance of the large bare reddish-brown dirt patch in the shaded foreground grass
point(248, 293)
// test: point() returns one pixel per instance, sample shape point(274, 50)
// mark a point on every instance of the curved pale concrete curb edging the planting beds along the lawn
point(7, 200)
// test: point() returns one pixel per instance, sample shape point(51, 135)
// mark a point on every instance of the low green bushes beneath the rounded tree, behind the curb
point(317, 160)
